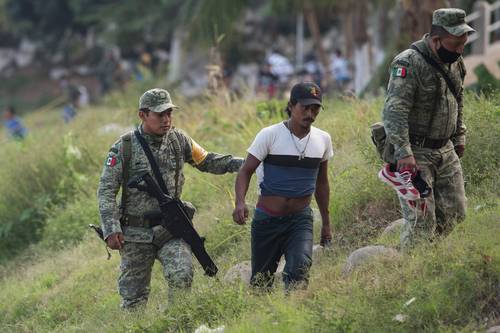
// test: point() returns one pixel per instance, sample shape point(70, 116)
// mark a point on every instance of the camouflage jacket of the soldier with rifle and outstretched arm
point(171, 151)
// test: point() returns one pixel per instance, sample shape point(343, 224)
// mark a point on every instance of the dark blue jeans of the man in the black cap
point(274, 236)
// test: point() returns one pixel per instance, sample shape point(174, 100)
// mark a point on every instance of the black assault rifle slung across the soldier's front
point(175, 219)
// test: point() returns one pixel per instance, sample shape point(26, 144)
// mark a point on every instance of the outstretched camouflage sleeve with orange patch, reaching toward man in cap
point(208, 161)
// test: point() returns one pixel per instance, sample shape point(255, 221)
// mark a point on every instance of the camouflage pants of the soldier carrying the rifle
point(137, 261)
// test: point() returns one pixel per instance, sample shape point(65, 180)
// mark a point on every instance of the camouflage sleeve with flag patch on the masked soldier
point(399, 102)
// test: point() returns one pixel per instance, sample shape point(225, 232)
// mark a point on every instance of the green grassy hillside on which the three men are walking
point(55, 277)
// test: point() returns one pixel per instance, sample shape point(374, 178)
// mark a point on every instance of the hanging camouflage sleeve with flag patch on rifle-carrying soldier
point(109, 184)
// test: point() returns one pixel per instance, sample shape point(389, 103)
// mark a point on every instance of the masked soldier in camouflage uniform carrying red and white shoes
point(424, 121)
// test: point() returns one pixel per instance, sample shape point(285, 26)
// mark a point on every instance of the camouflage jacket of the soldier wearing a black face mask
point(419, 101)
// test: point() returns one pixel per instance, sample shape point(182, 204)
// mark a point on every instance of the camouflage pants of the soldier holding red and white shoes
point(447, 203)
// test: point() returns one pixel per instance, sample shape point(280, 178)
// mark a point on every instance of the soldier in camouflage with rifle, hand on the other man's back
point(131, 227)
